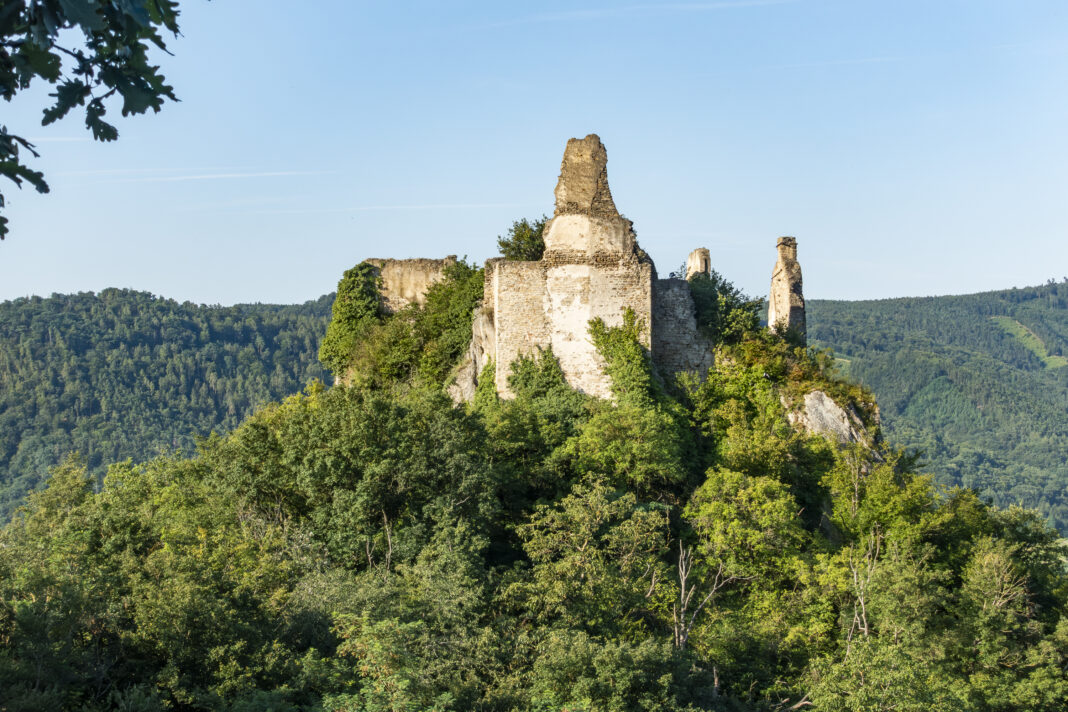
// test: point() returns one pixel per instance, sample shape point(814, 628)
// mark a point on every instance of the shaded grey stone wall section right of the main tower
point(678, 344)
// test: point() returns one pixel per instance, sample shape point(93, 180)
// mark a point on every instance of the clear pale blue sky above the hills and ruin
point(914, 148)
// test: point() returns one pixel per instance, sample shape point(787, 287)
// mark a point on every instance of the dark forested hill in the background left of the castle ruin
point(124, 374)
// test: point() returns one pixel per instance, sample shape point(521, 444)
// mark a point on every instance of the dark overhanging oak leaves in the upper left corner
point(111, 58)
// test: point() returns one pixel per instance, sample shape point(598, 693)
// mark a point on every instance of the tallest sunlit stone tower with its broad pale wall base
point(592, 268)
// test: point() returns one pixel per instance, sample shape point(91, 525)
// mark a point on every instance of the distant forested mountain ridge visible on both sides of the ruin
point(979, 383)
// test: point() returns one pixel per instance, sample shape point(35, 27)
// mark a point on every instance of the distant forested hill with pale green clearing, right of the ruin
point(980, 383)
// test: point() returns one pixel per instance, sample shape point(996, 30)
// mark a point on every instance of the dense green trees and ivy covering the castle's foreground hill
point(373, 547)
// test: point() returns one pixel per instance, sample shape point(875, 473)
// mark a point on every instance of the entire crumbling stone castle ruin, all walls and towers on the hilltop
point(592, 268)
